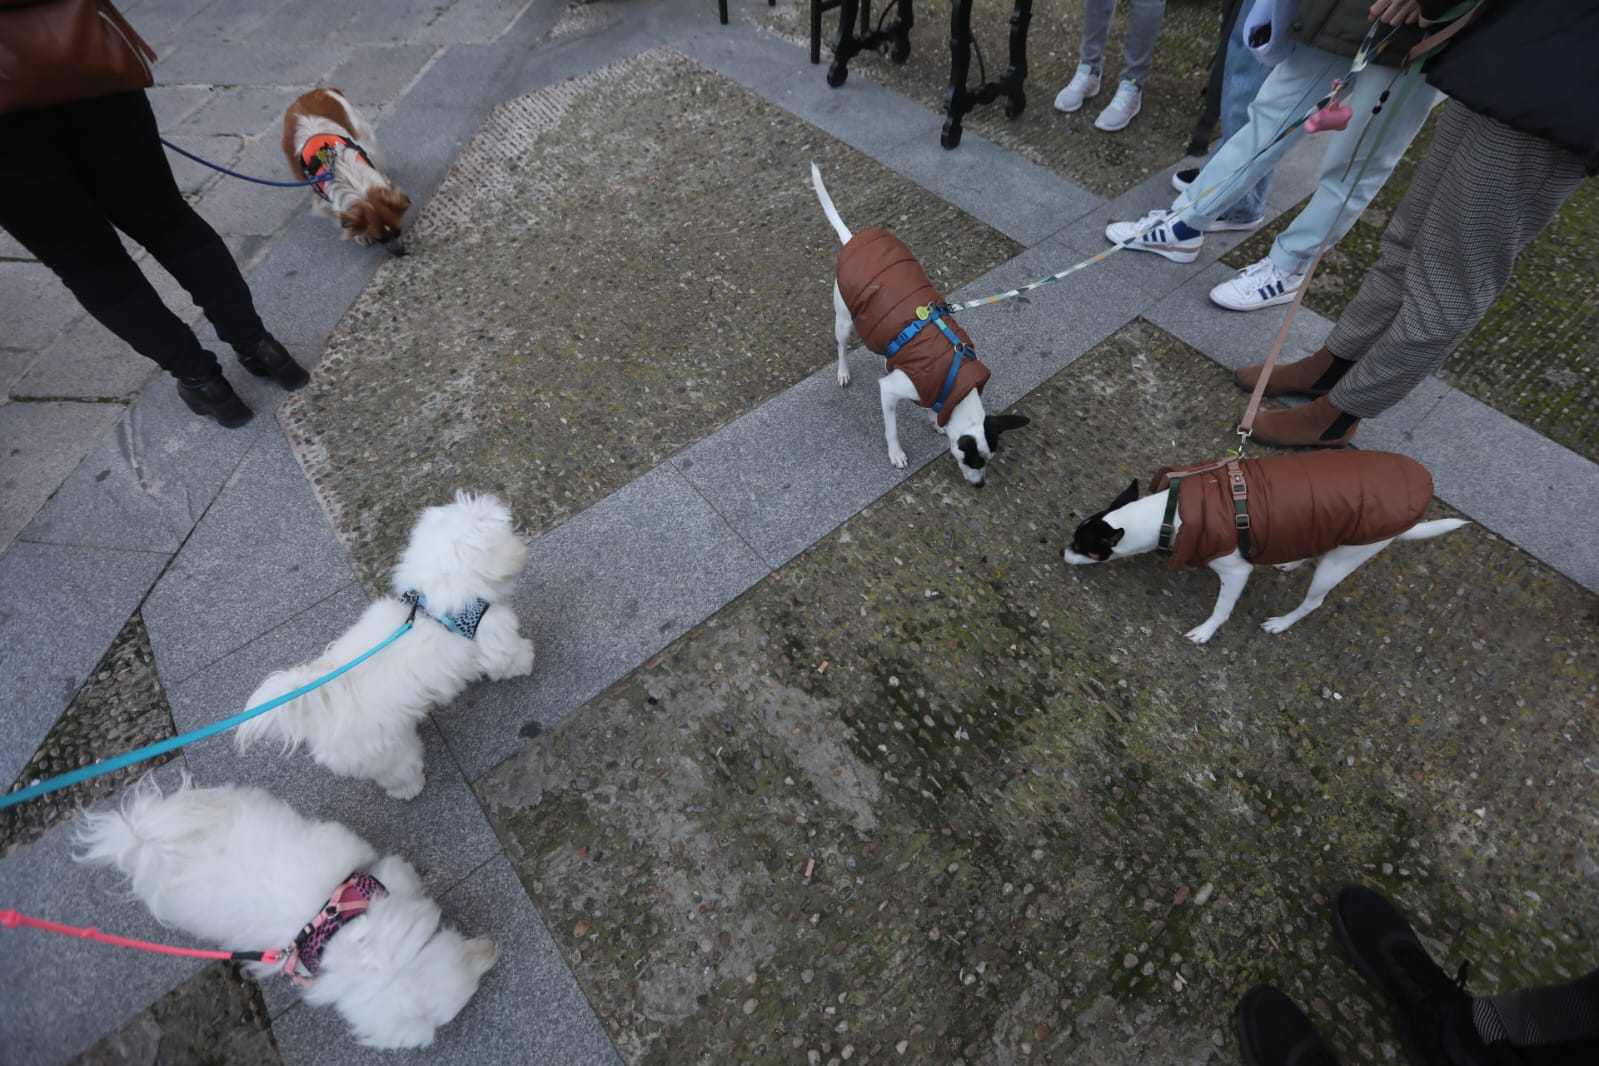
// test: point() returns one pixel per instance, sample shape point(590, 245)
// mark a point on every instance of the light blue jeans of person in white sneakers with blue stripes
point(1288, 93)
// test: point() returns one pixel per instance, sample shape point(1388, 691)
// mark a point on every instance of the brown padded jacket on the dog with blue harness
point(883, 285)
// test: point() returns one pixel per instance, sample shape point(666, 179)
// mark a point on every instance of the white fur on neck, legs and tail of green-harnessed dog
point(1142, 520)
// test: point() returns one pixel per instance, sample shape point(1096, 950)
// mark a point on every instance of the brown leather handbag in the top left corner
point(66, 50)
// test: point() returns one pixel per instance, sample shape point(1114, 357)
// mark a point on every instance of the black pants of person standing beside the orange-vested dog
point(74, 172)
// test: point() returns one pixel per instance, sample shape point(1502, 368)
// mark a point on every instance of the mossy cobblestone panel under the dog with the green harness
point(930, 790)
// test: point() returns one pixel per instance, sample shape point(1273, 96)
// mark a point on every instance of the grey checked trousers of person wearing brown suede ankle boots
point(1494, 194)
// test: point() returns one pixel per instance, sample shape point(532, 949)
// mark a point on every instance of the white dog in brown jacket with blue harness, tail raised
point(883, 292)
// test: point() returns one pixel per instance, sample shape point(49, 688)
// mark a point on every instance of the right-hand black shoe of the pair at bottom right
point(1432, 1011)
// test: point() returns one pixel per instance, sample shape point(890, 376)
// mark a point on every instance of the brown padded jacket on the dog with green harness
point(1299, 506)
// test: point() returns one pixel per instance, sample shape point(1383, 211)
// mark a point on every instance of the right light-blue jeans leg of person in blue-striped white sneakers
point(1328, 210)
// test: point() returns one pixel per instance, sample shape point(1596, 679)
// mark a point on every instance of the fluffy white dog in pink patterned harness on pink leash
point(244, 870)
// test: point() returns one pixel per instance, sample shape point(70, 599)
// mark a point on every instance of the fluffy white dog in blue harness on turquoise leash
point(463, 559)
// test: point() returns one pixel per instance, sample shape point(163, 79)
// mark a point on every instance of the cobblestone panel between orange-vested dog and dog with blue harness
point(581, 311)
